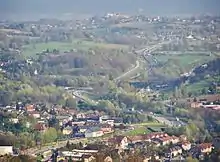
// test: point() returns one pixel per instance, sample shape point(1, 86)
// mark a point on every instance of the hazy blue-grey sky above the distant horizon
point(150, 7)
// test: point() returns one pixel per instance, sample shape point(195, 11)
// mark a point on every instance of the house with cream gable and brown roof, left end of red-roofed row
point(121, 142)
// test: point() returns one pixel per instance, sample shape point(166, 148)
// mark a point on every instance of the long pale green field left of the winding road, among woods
point(31, 50)
